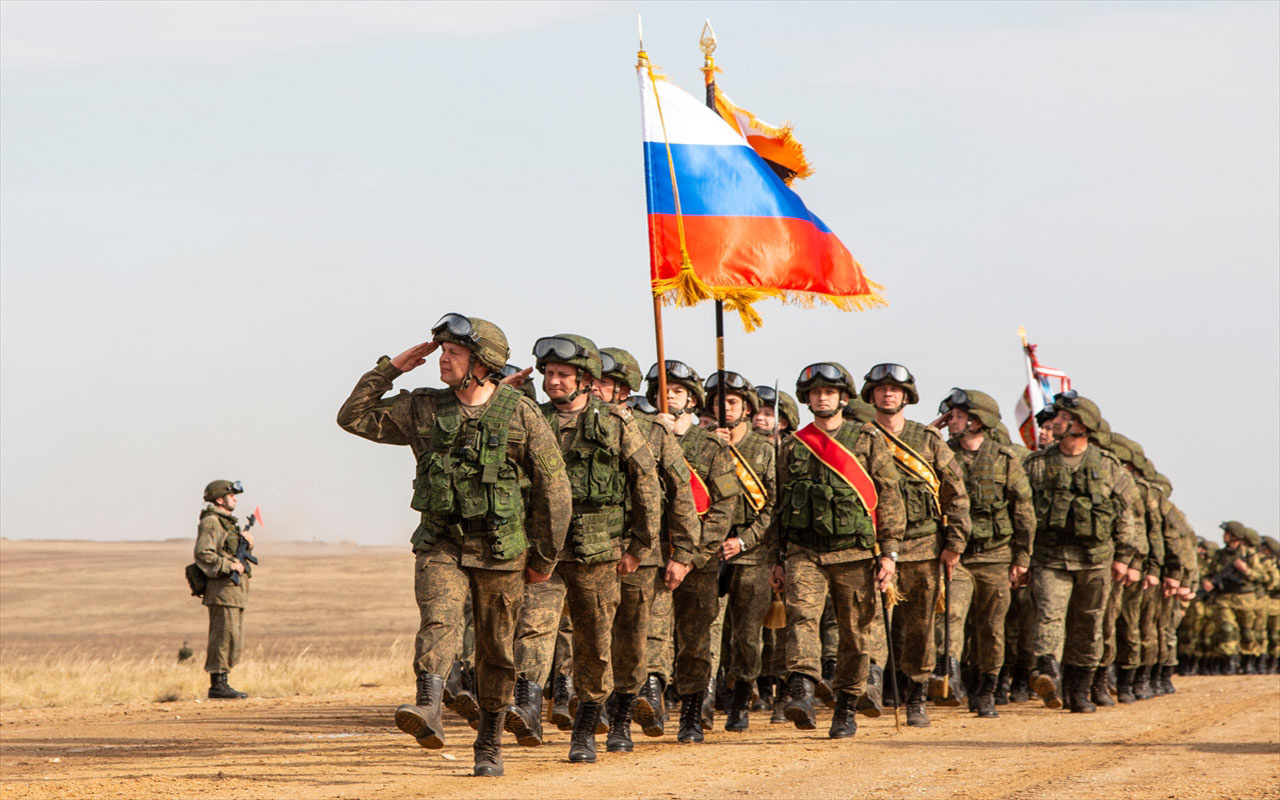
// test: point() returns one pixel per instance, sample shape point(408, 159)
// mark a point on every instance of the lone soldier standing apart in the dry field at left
point(217, 543)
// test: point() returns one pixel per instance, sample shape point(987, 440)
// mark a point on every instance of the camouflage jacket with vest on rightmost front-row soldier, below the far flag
point(1104, 499)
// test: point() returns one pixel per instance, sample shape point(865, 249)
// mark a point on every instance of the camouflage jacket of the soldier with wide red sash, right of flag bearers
point(872, 452)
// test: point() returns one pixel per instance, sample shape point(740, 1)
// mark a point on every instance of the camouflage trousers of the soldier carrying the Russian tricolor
point(697, 611)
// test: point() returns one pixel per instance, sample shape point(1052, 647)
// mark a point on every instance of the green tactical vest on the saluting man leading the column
point(467, 486)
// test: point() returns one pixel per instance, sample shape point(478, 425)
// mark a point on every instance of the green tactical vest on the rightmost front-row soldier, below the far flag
point(1075, 509)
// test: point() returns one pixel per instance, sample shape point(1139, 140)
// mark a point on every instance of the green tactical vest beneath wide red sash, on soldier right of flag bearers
point(821, 510)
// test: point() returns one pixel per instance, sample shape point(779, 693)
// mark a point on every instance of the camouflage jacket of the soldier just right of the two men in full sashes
point(1002, 501)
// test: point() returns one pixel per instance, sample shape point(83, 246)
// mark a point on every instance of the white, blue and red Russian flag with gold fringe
point(748, 235)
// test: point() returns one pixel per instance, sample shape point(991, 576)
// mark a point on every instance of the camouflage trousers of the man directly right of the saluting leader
point(591, 592)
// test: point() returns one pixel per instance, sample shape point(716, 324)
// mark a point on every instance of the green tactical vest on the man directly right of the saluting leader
point(597, 481)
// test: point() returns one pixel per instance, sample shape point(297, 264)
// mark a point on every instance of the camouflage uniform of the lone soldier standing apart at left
point(217, 542)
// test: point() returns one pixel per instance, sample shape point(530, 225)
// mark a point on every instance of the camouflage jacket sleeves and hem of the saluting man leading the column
point(408, 419)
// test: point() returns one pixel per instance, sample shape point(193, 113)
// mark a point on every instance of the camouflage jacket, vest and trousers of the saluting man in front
point(455, 556)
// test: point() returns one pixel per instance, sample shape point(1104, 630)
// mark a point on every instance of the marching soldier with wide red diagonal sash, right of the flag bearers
point(840, 522)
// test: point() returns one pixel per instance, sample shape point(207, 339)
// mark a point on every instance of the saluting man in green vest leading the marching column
point(482, 450)
